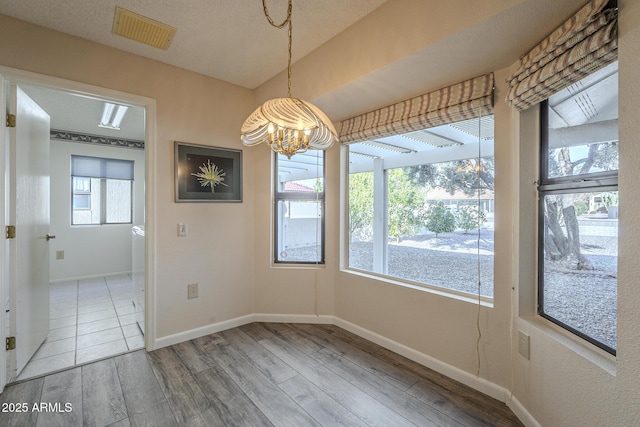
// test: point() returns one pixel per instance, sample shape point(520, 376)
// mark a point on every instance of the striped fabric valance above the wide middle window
point(466, 100)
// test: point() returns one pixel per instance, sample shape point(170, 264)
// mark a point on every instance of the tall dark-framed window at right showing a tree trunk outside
point(578, 211)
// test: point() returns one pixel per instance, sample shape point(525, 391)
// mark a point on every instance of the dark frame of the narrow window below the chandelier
point(283, 196)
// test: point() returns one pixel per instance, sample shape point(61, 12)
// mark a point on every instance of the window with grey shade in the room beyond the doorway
point(101, 190)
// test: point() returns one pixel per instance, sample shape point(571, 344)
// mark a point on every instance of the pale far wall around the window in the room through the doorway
point(91, 250)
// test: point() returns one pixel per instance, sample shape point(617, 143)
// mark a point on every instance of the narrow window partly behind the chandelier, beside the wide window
point(299, 208)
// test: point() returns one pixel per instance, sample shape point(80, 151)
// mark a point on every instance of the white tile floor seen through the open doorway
point(90, 319)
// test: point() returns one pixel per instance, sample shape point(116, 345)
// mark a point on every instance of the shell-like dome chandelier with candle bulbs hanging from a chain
point(288, 125)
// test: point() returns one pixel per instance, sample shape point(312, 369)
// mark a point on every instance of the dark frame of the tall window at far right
point(581, 183)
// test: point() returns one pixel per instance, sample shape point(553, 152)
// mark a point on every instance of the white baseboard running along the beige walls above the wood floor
point(479, 384)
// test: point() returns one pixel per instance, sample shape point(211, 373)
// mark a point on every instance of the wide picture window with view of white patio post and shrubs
point(421, 206)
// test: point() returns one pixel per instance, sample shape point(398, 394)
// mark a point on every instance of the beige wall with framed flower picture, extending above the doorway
point(190, 108)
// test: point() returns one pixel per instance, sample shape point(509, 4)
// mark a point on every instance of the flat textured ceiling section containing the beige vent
point(230, 40)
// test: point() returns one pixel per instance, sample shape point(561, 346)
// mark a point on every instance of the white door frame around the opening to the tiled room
point(17, 76)
